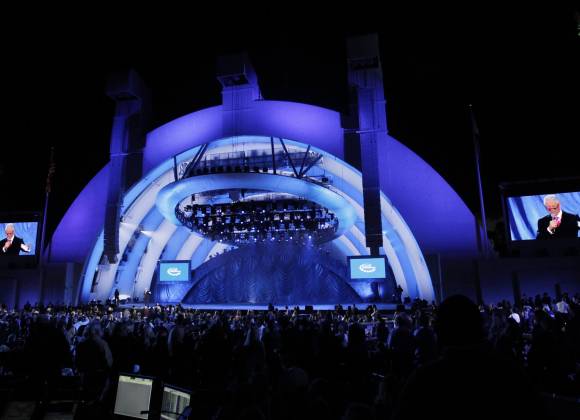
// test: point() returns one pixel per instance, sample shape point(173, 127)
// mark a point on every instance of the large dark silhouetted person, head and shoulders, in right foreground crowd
point(469, 381)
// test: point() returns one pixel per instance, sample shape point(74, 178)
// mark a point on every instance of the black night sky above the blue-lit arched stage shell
point(519, 68)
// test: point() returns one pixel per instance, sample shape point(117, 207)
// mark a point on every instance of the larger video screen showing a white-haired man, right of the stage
point(544, 216)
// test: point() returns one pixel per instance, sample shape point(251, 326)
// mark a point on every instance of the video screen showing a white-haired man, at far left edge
point(18, 238)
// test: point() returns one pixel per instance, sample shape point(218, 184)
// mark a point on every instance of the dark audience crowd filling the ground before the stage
point(455, 360)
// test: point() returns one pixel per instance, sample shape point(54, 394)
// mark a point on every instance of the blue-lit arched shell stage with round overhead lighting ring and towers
point(166, 197)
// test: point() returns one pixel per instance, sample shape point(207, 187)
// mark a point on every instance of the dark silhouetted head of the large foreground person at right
point(459, 322)
